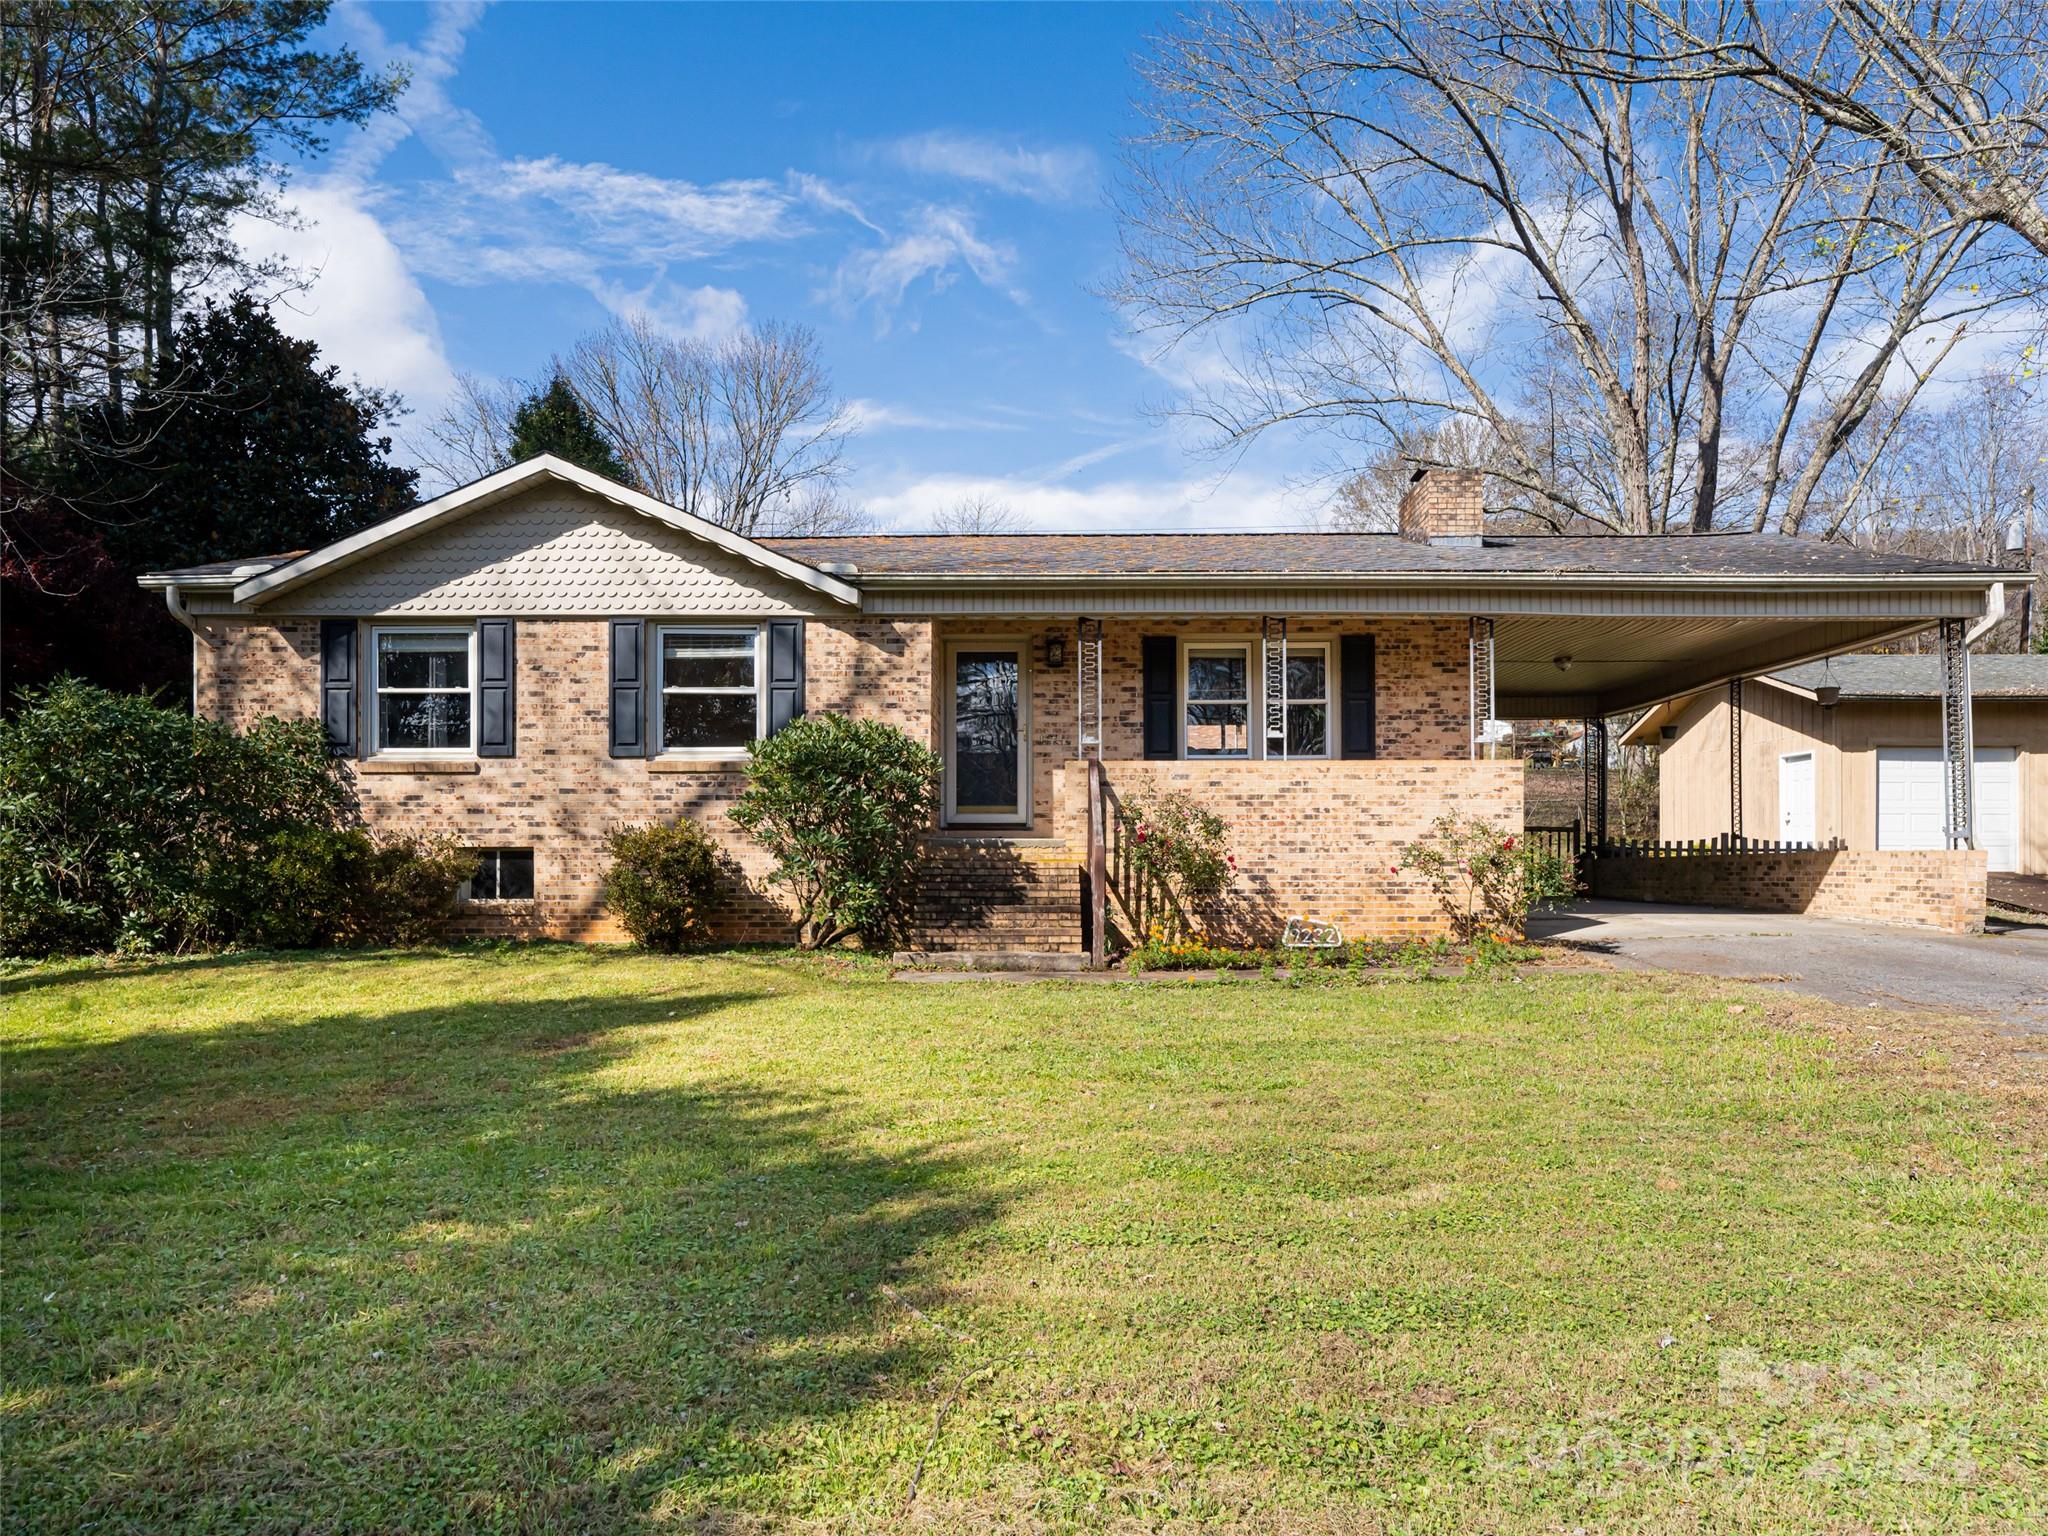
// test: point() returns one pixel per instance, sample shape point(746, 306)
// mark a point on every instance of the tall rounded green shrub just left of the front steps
point(843, 808)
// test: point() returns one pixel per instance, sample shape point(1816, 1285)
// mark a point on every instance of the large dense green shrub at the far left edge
point(134, 826)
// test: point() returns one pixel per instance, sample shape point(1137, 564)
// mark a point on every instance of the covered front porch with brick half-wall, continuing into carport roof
point(1332, 736)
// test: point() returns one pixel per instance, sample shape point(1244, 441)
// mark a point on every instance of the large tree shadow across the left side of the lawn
point(529, 1265)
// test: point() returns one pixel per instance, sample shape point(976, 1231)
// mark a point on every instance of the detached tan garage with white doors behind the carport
point(1850, 751)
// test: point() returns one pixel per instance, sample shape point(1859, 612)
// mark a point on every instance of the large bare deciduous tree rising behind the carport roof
point(1664, 302)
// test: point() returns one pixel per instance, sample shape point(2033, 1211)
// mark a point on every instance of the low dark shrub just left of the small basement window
point(345, 886)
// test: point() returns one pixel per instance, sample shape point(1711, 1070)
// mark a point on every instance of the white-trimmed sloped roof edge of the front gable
point(298, 570)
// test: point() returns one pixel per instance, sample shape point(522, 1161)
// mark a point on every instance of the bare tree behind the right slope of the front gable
point(744, 433)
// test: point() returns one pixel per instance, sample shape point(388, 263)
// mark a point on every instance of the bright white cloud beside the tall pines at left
point(361, 304)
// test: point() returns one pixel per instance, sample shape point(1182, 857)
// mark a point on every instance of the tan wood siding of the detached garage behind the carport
point(1695, 769)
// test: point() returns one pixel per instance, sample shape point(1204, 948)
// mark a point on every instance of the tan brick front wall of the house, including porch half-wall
point(564, 792)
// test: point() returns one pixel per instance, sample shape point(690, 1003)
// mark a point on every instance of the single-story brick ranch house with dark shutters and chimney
point(546, 654)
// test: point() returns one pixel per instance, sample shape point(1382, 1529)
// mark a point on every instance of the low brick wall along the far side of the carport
point(1906, 888)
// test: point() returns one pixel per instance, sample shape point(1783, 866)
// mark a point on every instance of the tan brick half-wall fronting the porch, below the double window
point(1316, 839)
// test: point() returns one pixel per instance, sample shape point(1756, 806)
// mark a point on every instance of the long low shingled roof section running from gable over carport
point(1123, 556)
